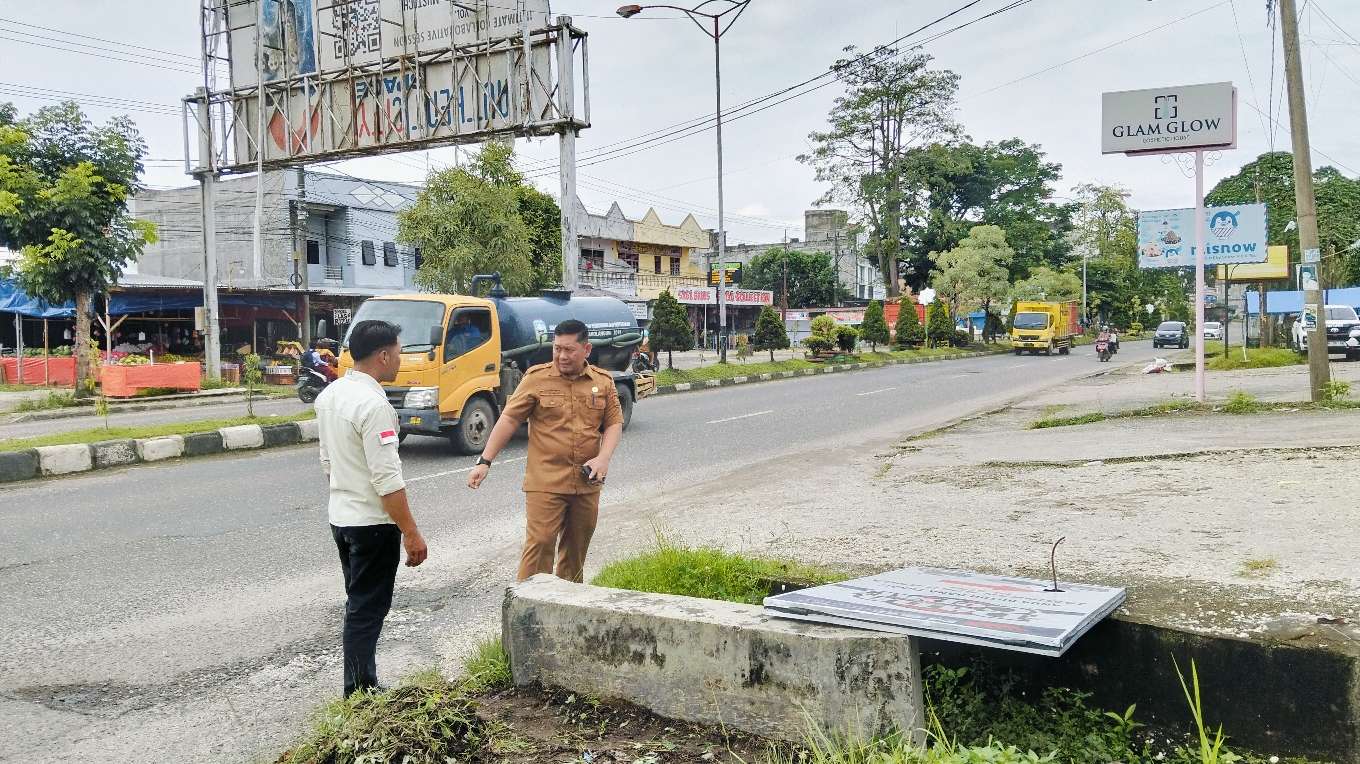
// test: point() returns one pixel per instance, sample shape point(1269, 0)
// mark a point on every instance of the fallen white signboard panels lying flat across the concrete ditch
point(1007, 612)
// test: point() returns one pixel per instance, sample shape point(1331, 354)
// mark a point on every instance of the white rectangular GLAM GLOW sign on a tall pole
point(1169, 119)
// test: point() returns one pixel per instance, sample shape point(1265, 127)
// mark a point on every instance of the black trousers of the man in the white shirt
point(369, 557)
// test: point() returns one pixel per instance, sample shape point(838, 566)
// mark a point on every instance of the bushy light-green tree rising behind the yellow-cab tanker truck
point(483, 218)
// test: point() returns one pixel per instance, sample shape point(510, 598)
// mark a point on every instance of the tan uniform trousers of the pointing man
point(562, 524)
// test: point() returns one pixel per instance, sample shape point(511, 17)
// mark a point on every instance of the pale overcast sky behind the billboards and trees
point(1036, 73)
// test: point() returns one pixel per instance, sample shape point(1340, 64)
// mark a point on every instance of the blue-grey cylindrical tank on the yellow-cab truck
point(527, 327)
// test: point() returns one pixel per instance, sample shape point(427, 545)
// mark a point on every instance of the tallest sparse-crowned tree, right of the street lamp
point(893, 103)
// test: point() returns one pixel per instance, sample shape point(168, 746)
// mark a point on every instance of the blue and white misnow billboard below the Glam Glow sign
point(1233, 235)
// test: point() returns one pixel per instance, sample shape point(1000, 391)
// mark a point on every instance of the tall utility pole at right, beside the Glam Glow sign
point(1308, 214)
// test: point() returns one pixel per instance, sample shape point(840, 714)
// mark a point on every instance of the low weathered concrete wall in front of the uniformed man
point(712, 663)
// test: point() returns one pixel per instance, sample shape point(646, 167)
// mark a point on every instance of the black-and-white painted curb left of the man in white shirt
point(50, 462)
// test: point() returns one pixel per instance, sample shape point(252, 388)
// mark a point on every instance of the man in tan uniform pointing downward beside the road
point(575, 428)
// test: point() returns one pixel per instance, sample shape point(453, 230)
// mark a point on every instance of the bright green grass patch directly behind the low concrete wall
point(711, 574)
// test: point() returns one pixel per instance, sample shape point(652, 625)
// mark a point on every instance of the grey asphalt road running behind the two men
point(191, 611)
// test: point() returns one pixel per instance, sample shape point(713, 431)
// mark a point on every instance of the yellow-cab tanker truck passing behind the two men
point(463, 357)
